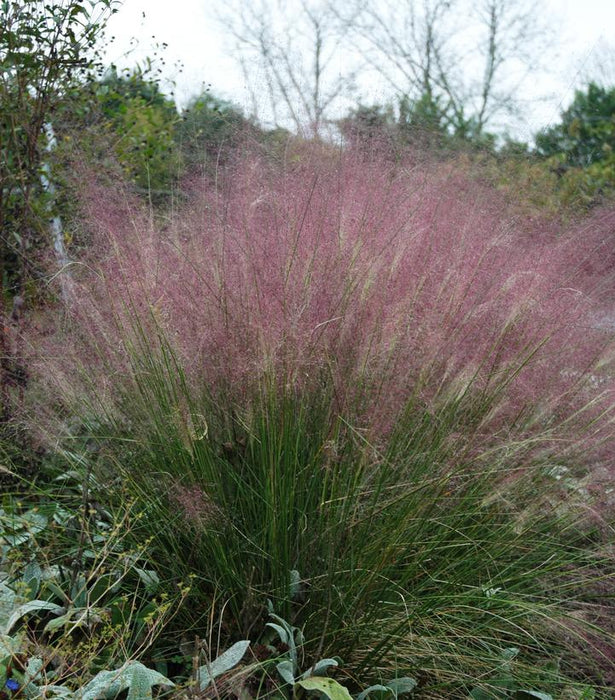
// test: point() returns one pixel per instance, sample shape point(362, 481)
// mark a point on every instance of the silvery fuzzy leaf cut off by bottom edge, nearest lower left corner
point(134, 676)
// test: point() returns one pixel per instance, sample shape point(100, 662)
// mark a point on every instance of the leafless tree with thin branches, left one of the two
point(289, 52)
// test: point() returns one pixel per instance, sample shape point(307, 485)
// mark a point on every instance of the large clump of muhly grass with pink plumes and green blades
point(365, 374)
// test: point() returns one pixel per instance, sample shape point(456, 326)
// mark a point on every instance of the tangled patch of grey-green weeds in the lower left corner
point(77, 597)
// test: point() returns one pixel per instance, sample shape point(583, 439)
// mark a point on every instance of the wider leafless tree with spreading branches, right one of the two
point(466, 57)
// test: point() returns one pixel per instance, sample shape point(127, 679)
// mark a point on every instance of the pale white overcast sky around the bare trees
point(195, 42)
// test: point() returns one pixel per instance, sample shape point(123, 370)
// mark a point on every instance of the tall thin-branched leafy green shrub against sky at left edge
point(45, 50)
